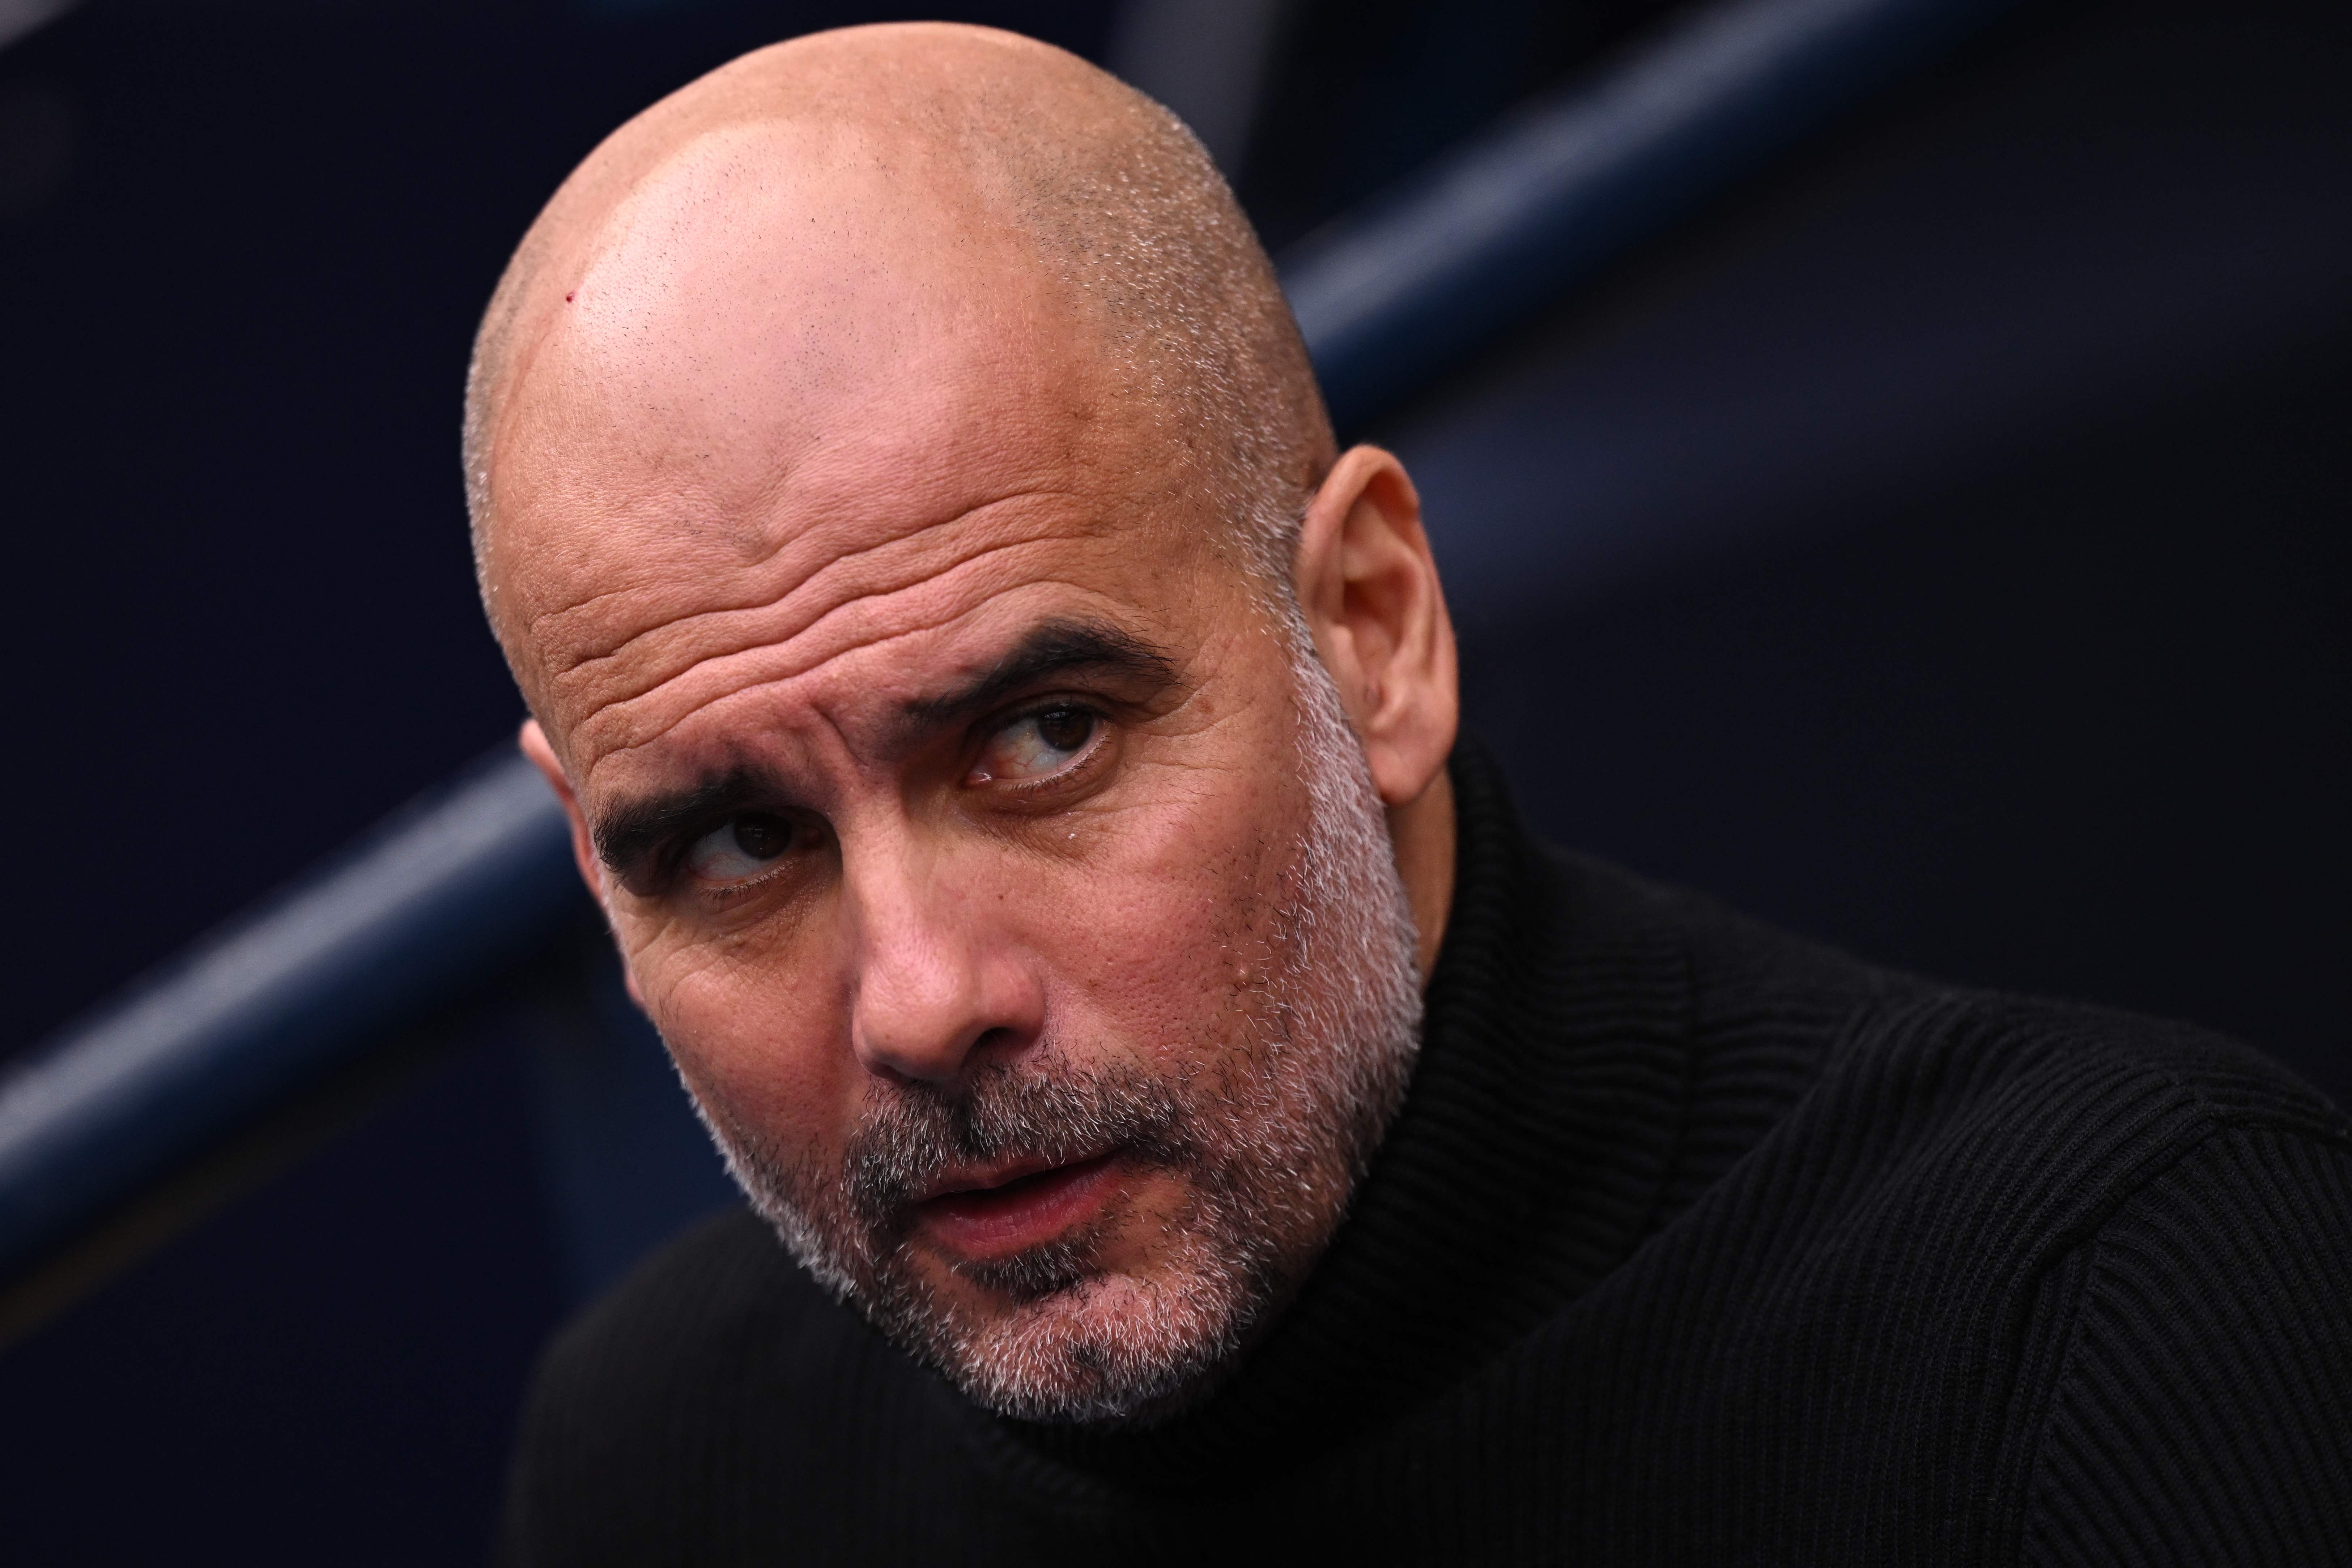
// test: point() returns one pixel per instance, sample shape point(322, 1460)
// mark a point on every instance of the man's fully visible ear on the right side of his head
point(1370, 596)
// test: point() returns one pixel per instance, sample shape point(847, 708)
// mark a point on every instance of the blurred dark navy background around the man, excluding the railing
point(1939, 547)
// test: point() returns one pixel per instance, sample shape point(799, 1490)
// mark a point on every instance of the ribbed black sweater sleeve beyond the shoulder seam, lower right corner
point(2205, 1320)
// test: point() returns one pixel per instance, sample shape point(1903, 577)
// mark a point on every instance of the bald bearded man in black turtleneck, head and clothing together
point(1180, 1111)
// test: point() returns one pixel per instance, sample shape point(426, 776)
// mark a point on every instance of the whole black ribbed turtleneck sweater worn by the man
point(1692, 1245)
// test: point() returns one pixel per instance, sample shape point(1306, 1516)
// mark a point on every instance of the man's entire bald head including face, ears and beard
point(1003, 735)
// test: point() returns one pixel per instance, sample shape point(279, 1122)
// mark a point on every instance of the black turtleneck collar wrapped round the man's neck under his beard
point(1528, 1160)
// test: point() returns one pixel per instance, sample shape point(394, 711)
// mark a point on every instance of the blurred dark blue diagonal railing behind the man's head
point(474, 880)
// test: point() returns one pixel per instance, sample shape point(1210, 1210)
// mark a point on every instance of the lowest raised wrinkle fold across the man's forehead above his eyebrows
point(782, 664)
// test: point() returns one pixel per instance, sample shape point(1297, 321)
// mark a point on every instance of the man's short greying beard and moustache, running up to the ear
point(1269, 1144)
